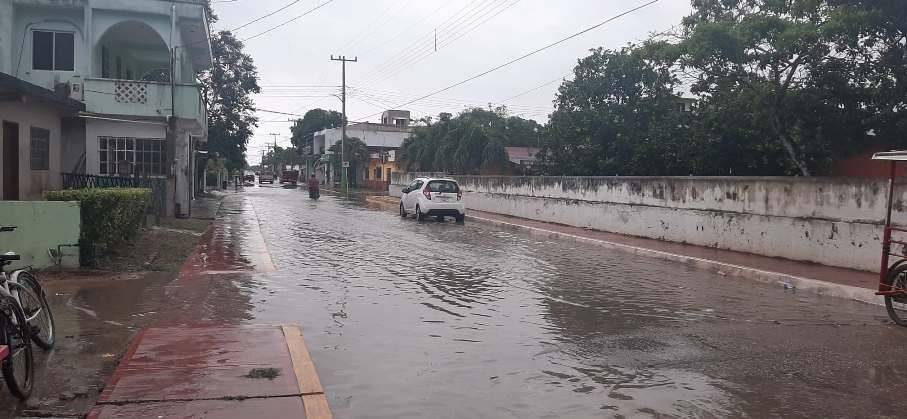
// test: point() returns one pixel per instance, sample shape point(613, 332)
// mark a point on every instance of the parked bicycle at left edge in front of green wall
point(25, 317)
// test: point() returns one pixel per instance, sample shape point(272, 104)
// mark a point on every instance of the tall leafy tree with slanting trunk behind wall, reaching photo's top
point(768, 54)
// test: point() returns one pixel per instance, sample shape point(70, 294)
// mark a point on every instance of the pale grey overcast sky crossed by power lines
point(395, 43)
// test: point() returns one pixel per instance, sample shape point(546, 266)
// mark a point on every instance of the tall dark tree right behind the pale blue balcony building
point(227, 87)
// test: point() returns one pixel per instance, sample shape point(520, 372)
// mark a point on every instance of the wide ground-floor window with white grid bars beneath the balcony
point(143, 156)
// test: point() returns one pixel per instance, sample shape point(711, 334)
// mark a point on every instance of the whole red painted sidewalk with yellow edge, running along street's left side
point(216, 370)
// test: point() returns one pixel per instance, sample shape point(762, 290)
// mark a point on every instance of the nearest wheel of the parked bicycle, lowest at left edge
point(18, 366)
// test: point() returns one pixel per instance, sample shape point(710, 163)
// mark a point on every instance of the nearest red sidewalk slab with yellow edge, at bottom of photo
point(215, 372)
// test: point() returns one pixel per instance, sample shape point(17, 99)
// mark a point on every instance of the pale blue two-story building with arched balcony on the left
point(132, 65)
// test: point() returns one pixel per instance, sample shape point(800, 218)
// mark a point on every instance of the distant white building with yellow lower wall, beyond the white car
point(383, 141)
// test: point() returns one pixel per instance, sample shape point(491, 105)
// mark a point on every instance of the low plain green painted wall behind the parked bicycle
point(42, 225)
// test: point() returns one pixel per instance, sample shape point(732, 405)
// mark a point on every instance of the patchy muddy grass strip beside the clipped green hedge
point(155, 250)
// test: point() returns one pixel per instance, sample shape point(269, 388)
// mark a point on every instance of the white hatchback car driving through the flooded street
point(433, 197)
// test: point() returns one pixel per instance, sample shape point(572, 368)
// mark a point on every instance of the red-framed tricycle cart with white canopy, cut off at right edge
point(893, 276)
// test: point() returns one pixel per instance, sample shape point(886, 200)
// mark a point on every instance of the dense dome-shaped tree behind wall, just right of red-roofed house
point(618, 116)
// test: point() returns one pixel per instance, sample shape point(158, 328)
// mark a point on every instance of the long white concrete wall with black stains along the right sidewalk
point(832, 221)
